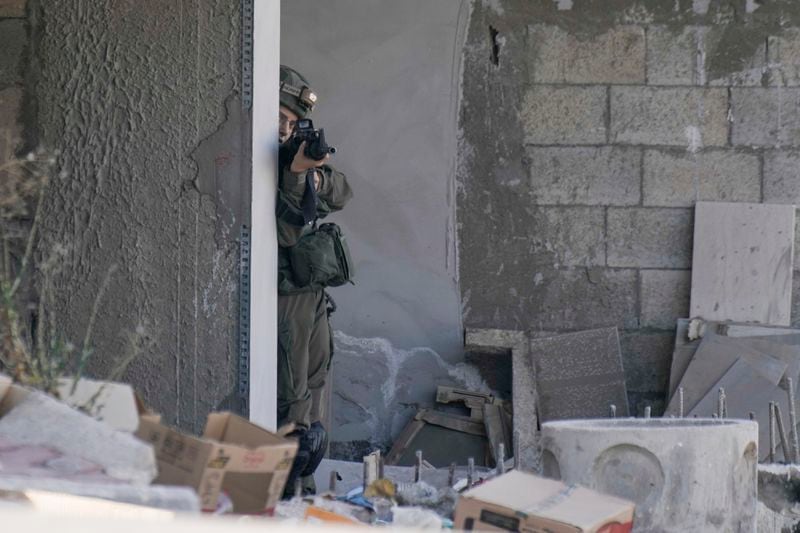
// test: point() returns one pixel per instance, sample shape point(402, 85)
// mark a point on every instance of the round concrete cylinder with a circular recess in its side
point(683, 474)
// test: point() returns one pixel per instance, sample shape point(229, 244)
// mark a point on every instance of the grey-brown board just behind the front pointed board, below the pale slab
point(714, 357)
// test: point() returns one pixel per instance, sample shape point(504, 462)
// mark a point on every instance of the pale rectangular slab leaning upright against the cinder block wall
point(742, 262)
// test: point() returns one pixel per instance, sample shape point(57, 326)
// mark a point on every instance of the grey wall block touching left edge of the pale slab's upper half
point(649, 237)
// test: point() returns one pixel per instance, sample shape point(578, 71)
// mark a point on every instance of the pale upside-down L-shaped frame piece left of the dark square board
point(523, 388)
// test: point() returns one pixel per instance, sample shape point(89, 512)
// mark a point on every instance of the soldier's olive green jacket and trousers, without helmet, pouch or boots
point(304, 334)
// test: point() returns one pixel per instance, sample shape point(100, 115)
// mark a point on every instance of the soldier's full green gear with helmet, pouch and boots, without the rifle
point(308, 260)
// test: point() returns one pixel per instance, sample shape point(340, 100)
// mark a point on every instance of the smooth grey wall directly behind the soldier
point(388, 78)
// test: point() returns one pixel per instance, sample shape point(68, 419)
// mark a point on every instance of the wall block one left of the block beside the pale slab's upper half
point(575, 235)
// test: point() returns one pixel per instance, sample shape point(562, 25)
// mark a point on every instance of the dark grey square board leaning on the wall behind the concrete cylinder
point(578, 375)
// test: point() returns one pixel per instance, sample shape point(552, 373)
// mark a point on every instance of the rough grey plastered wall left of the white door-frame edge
point(142, 99)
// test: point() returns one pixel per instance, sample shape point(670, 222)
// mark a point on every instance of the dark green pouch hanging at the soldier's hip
point(321, 258)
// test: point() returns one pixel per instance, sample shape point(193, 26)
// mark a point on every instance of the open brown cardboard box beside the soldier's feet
point(235, 456)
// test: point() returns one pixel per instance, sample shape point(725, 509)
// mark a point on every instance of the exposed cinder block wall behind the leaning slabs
point(589, 130)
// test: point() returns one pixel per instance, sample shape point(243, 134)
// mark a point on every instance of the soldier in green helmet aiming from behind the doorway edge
point(305, 343)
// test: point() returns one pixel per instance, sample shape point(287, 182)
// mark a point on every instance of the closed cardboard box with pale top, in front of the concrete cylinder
point(517, 501)
